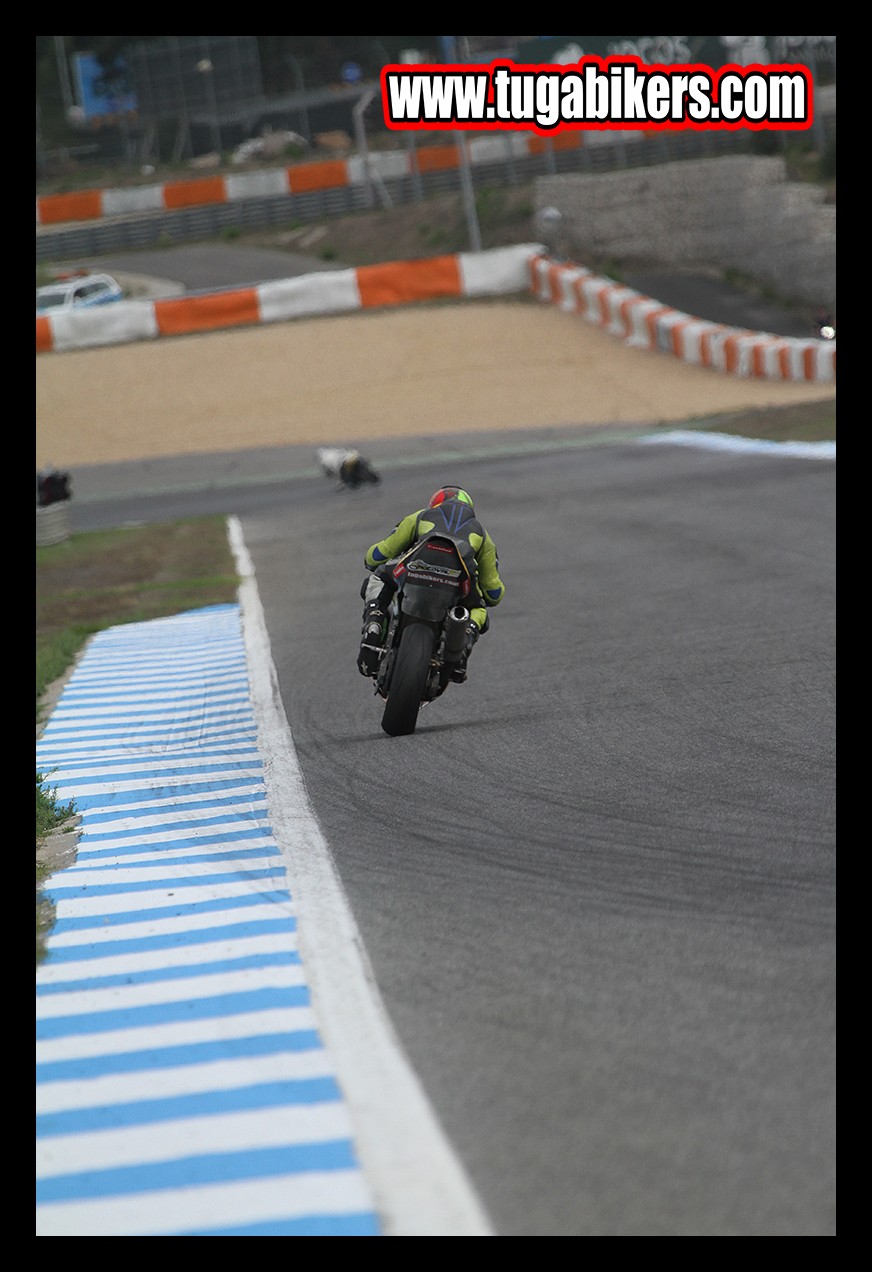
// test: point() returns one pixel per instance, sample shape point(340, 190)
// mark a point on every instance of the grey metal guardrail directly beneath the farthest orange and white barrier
point(190, 225)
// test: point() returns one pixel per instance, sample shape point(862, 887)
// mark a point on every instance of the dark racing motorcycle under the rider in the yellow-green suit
point(428, 635)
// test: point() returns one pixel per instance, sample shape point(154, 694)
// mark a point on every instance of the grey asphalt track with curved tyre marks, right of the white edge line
point(598, 886)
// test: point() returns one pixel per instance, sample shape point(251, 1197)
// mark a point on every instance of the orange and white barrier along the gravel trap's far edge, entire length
point(636, 319)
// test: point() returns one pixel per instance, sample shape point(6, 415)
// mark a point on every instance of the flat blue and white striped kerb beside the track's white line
point(182, 1086)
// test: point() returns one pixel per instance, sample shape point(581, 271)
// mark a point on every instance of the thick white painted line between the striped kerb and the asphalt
point(420, 1186)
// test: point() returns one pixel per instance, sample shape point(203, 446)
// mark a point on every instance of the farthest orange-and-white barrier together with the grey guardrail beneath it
point(97, 222)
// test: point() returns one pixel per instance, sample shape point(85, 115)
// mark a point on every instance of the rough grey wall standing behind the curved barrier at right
point(734, 212)
